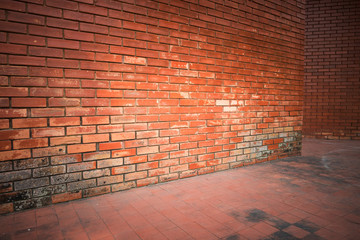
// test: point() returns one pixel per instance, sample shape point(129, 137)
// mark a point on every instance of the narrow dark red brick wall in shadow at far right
point(332, 71)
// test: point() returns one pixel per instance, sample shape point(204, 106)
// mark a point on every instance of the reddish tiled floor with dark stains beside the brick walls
point(316, 196)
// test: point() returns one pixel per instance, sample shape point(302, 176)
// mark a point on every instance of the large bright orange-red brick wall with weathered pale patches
point(101, 96)
